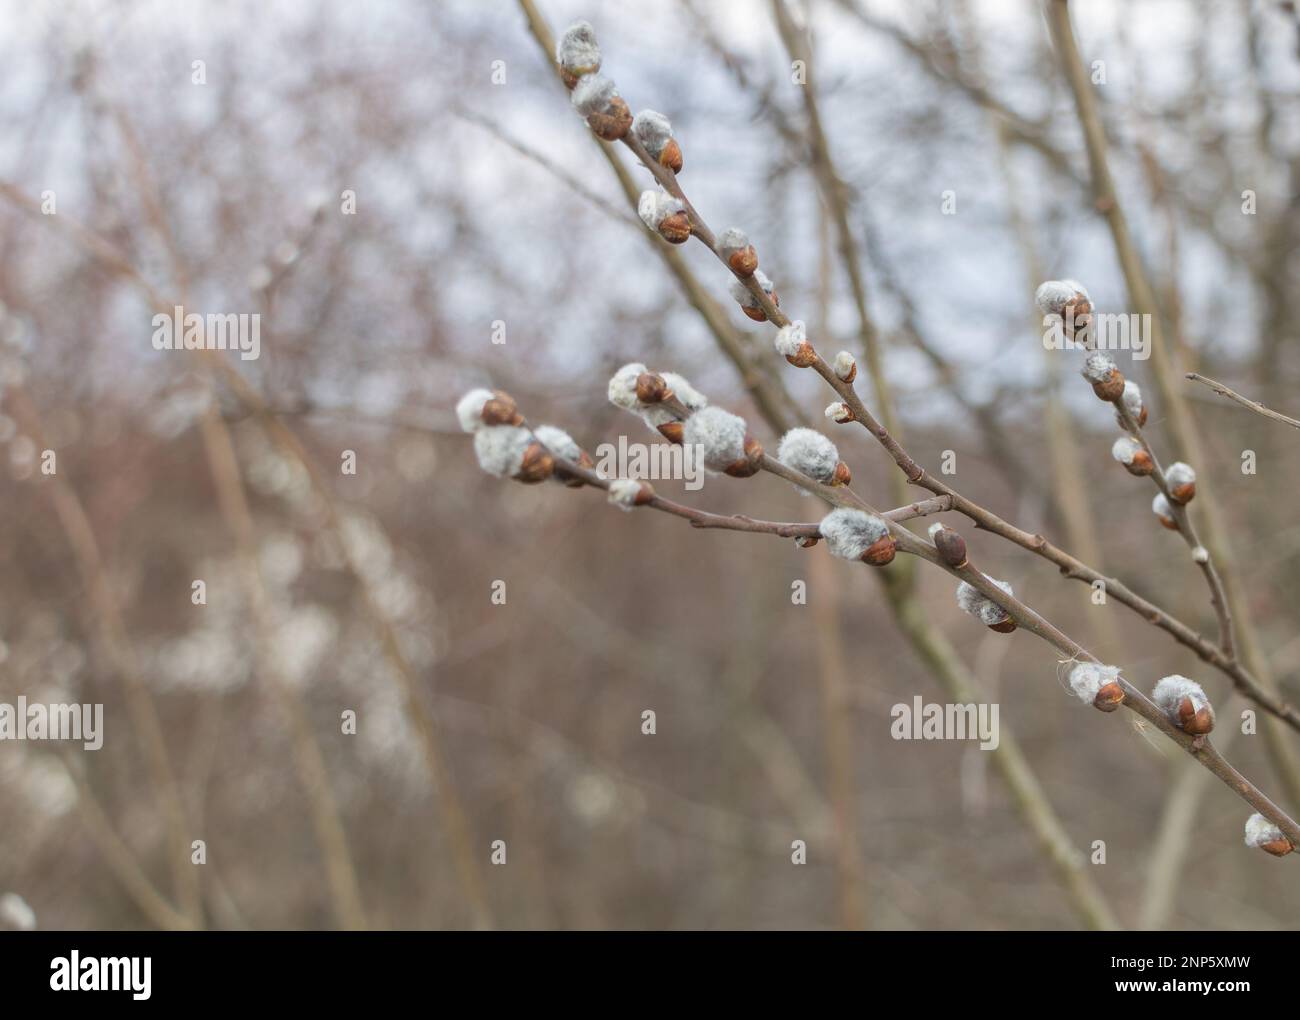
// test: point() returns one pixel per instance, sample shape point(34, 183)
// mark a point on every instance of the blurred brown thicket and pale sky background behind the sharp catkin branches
point(483, 199)
